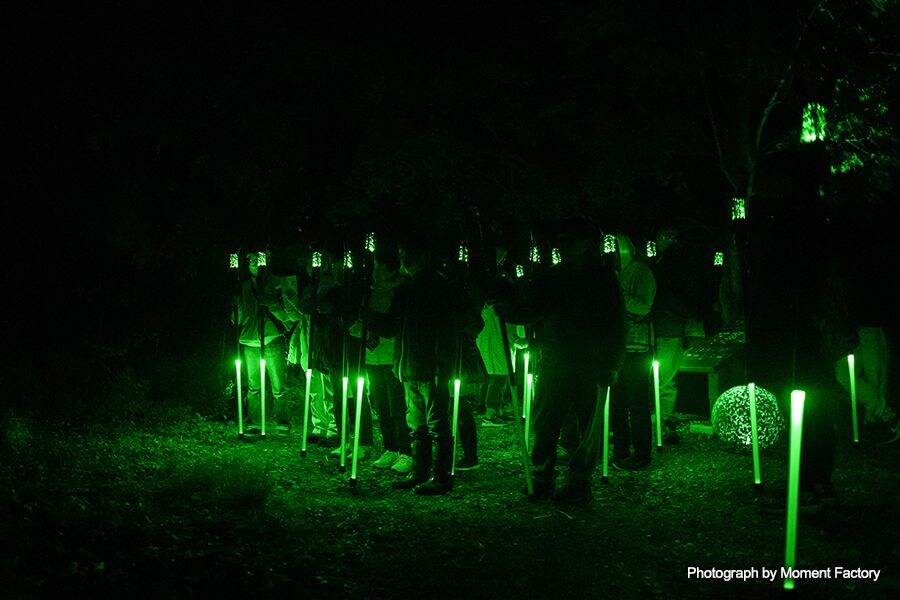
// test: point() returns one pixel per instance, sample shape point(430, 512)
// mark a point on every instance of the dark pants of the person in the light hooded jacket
point(629, 407)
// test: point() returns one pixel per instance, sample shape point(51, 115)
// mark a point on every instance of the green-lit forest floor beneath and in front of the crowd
point(180, 507)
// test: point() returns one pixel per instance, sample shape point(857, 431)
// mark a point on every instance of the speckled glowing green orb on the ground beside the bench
point(731, 417)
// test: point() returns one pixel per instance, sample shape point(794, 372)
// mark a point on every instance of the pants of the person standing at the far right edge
point(870, 364)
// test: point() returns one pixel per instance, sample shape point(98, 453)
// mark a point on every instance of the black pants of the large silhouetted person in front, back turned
point(563, 395)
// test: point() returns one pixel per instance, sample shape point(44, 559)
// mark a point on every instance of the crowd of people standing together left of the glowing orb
point(412, 323)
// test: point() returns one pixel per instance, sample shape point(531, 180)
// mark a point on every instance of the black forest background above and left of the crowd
point(145, 143)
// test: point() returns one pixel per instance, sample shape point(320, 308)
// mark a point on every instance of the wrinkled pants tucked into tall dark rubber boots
point(427, 419)
